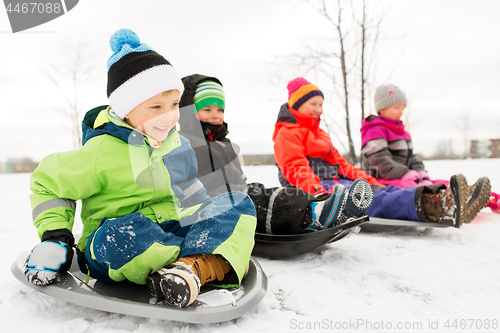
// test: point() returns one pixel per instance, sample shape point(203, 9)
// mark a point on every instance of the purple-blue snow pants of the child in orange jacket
point(390, 202)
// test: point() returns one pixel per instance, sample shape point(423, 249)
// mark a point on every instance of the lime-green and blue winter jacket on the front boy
point(115, 173)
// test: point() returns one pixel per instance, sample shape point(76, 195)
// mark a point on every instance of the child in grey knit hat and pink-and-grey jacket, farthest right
point(388, 151)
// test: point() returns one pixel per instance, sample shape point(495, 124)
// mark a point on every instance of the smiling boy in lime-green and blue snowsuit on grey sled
point(142, 206)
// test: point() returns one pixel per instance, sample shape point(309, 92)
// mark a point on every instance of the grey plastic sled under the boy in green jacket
point(212, 305)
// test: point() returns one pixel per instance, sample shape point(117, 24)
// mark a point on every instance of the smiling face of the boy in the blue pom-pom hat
point(156, 116)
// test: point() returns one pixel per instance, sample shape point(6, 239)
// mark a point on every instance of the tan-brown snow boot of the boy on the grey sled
point(179, 283)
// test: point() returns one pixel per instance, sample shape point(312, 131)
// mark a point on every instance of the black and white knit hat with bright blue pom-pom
point(136, 73)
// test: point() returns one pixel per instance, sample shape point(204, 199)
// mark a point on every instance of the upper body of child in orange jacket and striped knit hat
point(303, 151)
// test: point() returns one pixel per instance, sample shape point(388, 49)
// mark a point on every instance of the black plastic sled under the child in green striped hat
point(287, 246)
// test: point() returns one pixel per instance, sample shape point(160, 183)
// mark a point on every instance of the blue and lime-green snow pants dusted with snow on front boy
point(133, 246)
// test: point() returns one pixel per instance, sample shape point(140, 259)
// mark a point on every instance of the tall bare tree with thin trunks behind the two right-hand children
point(342, 59)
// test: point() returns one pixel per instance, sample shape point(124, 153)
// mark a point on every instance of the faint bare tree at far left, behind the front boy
point(72, 74)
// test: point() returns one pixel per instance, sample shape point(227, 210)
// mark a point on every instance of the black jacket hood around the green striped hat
point(187, 121)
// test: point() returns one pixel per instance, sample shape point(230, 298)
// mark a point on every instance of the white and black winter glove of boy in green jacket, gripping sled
point(50, 258)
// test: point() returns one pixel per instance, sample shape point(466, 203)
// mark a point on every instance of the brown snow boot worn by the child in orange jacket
point(449, 205)
